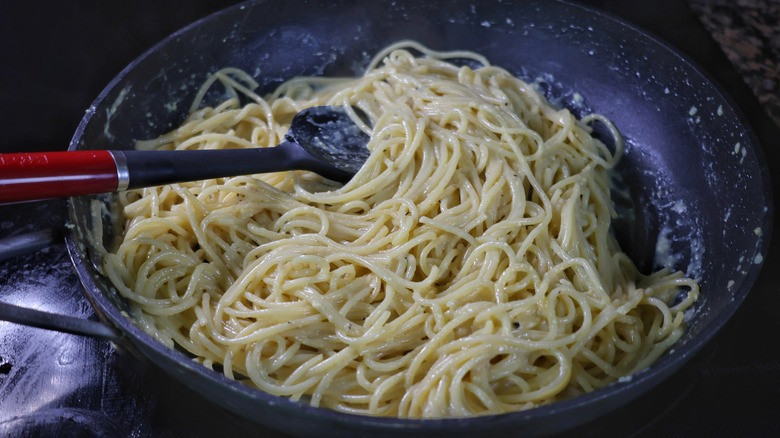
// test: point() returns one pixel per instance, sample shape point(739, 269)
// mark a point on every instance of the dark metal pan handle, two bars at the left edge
point(30, 242)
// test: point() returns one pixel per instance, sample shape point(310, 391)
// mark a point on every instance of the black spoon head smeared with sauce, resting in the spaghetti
point(331, 136)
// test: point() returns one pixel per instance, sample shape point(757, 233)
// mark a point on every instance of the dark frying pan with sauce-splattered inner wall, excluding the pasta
point(692, 178)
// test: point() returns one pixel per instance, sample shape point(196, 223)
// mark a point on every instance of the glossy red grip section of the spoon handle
point(45, 175)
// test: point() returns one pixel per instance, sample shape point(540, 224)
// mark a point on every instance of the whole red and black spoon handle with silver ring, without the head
point(45, 175)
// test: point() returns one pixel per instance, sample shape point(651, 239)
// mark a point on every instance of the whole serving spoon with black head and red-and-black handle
point(323, 139)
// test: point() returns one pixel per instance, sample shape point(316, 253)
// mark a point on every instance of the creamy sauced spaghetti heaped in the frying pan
point(467, 269)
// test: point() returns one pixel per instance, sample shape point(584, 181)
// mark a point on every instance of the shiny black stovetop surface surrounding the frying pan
point(55, 59)
